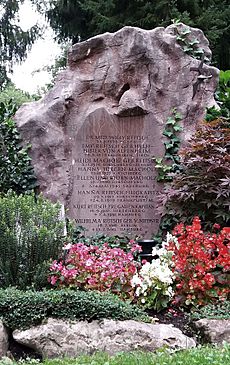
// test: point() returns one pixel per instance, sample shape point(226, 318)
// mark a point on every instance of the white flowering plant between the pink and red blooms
point(153, 283)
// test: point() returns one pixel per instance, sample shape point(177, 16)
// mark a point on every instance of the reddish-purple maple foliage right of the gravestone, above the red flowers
point(202, 188)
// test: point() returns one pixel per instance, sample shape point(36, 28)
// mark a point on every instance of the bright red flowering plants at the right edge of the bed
point(201, 263)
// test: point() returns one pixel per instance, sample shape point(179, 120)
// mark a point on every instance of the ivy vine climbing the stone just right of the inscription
point(171, 161)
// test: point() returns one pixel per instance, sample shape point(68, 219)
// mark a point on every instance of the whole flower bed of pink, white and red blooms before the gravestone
point(192, 268)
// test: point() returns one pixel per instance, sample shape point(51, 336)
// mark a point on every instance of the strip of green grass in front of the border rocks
point(198, 356)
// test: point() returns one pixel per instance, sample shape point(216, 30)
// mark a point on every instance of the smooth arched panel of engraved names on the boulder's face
point(115, 189)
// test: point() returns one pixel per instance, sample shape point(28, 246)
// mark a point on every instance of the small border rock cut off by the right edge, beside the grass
point(214, 330)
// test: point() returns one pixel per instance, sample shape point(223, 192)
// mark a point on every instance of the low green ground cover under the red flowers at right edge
point(219, 310)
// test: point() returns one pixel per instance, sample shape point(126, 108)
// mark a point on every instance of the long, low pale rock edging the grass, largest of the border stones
point(59, 338)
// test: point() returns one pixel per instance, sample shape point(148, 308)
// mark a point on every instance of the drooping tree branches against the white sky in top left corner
point(14, 42)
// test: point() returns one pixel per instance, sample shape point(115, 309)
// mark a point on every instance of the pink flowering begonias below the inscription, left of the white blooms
point(96, 268)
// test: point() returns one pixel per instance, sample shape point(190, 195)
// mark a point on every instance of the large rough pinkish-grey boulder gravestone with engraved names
point(94, 135)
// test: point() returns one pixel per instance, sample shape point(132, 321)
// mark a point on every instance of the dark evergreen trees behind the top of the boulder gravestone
point(80, 19)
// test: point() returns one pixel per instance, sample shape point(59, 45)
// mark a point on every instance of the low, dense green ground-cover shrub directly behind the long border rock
point(22, 309)
